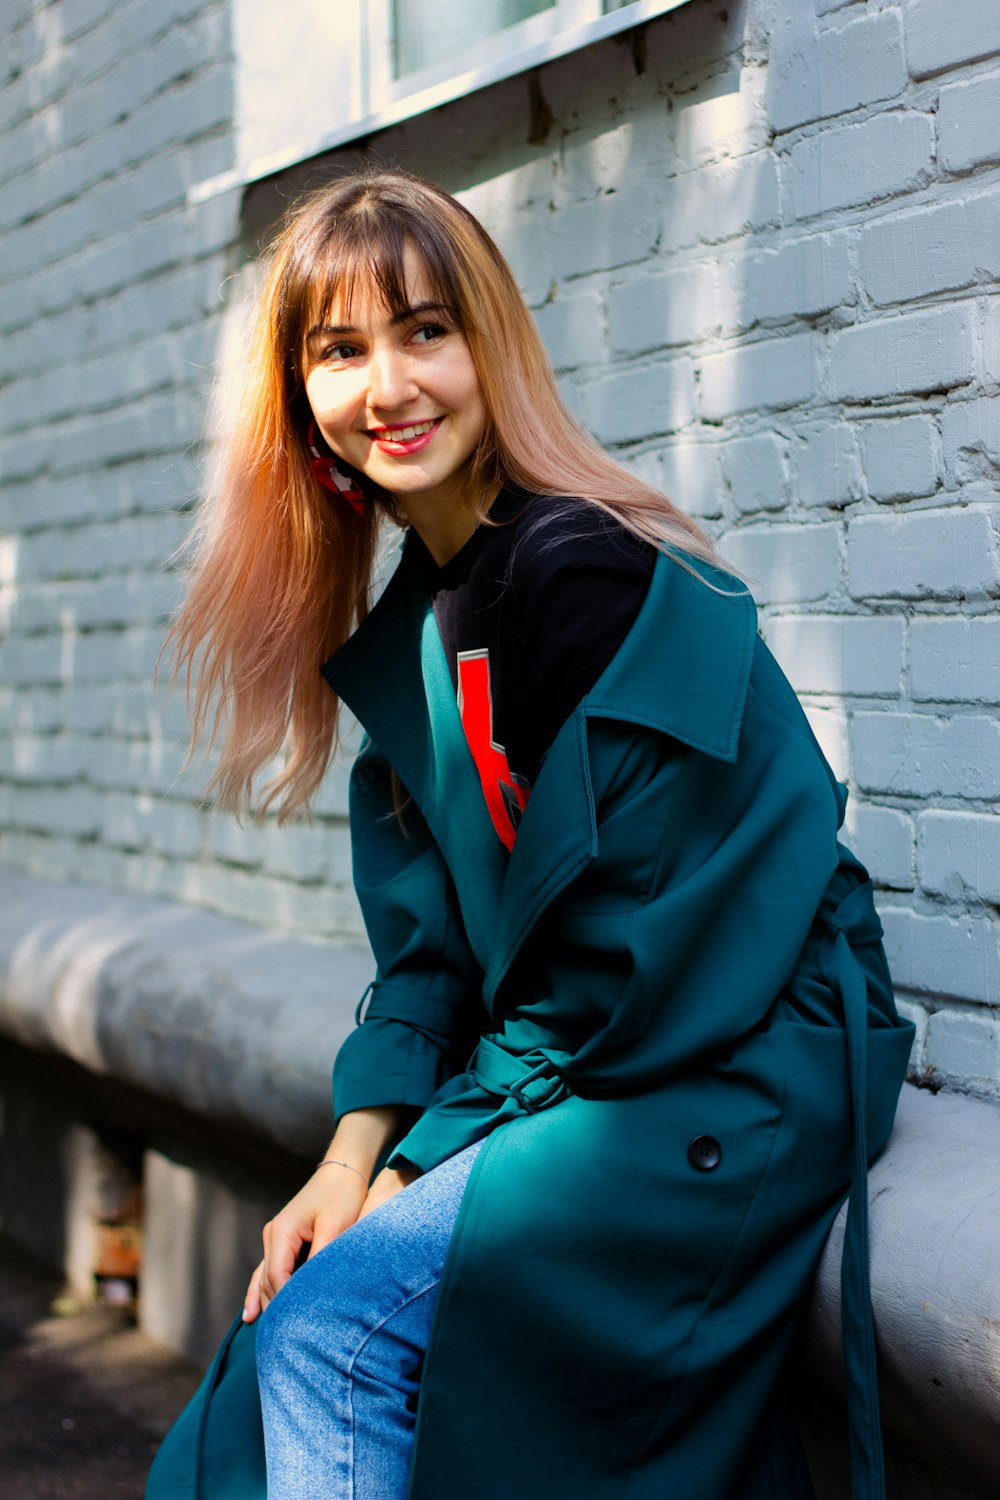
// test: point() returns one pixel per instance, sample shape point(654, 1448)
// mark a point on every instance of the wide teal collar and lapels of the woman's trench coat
point(683, 670)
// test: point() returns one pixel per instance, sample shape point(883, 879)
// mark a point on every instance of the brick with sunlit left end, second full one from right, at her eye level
point(768, 374)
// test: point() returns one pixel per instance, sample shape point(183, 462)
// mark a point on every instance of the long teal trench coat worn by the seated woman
point(687, 1054)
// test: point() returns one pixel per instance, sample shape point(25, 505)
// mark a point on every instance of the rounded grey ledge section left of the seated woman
point(230, 1022)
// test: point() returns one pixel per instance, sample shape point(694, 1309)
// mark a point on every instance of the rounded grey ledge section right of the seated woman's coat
point(935, 1213)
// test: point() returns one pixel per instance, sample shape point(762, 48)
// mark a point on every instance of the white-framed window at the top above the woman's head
point(323, 73)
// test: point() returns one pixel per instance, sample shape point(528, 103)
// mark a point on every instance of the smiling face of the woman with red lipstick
point(398, 397)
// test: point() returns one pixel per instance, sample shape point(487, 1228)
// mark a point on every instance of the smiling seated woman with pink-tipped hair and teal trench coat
point(632, 1036)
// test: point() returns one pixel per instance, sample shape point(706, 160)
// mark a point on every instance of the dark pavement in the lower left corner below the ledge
point(85, 1396)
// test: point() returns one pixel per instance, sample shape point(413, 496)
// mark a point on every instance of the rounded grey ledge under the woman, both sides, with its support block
point(238, 1028)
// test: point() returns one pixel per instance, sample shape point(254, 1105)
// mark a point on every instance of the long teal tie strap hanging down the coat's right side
point(852, 925)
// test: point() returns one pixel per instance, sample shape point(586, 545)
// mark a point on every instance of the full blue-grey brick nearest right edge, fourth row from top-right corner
point(920, 352)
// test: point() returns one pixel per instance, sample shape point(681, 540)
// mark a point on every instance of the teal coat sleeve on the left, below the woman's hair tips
point(425, 1010)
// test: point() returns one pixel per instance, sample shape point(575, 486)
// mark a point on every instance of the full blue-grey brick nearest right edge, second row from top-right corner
point(860, 164)
